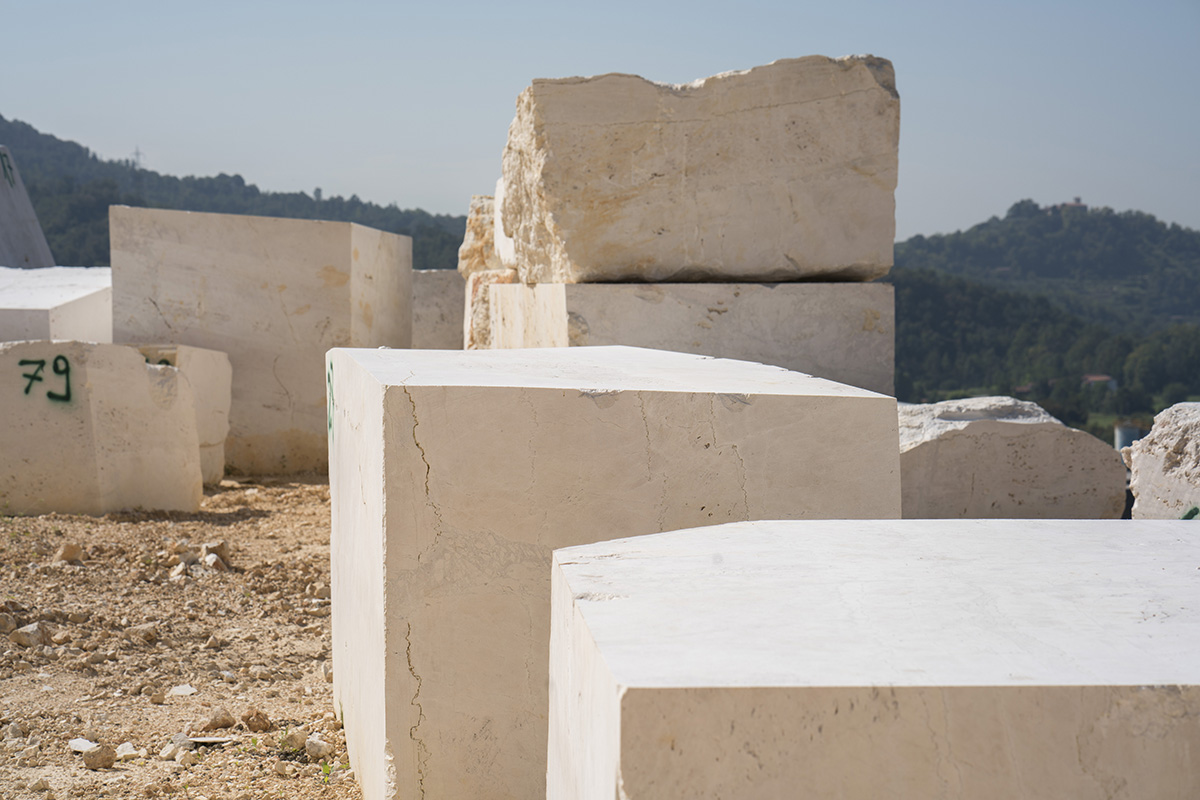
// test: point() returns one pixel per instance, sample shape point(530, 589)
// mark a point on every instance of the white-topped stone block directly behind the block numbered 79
point(57, 303)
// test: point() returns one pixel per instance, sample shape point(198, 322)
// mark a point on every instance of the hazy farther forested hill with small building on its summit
point(1126, 270)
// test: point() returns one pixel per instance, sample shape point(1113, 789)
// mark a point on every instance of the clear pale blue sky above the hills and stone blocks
point(410, 104)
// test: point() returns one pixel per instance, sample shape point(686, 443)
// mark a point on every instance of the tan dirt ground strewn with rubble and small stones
point(141, 621)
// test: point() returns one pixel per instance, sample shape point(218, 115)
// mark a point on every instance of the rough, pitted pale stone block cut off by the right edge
point(1166, 466)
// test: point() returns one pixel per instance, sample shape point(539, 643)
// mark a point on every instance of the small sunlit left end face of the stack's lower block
point(529, 317)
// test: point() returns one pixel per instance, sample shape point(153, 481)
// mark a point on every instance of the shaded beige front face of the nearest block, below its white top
point(992, 744)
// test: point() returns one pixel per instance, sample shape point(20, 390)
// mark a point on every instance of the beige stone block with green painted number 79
point(92, 429)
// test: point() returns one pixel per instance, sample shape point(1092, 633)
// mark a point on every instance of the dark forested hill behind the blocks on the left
point(71, 190)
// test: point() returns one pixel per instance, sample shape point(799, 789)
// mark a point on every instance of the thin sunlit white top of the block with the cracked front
point(596, 370)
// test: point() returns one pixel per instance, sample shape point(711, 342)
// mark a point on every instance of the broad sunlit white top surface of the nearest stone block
point(896, 604)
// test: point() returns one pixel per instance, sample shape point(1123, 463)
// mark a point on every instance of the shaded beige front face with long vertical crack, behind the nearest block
point(476, 503)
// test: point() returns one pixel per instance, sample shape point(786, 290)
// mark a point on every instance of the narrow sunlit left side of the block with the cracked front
point(362, 639)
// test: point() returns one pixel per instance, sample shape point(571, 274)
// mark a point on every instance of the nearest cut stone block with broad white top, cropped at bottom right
point(932, 659)
